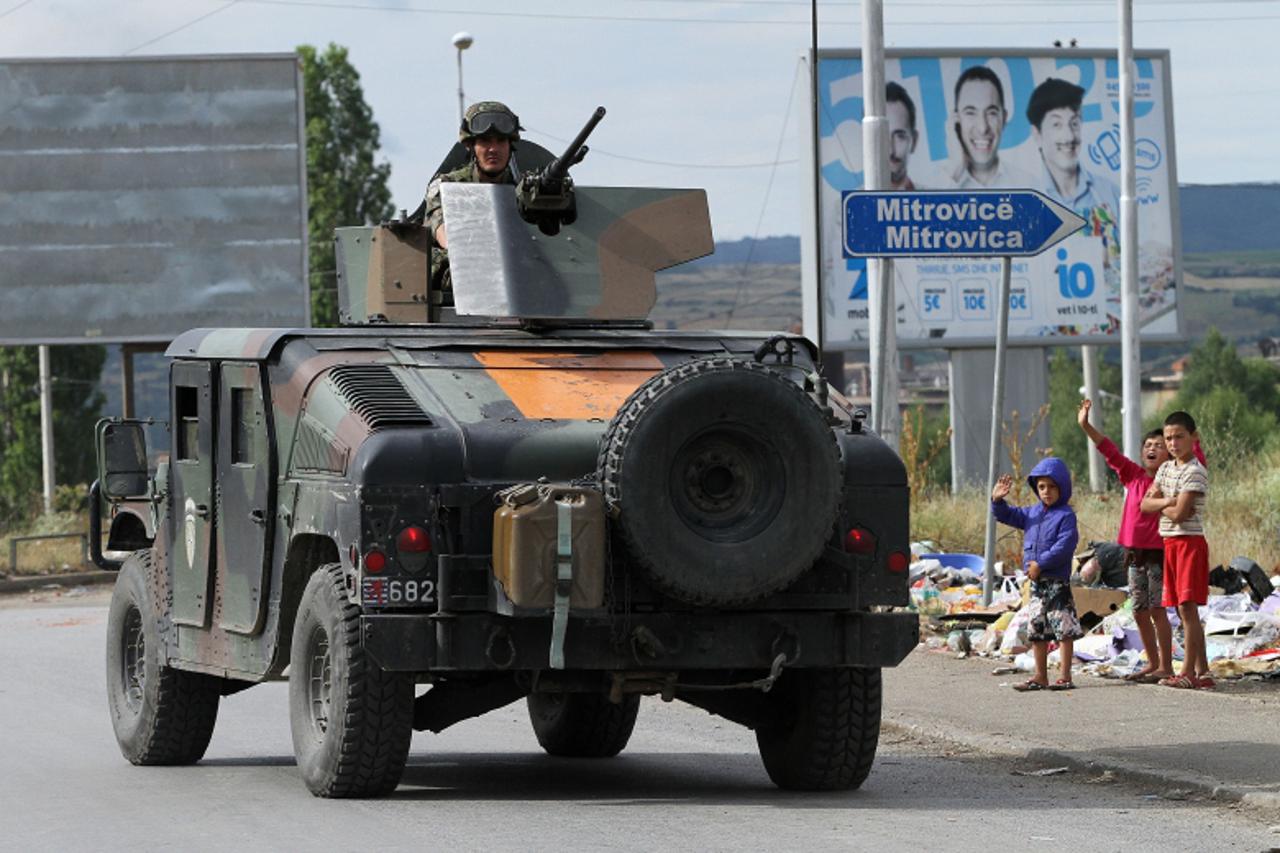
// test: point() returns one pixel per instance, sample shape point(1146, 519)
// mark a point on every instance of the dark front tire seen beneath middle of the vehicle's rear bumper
point(583, 726)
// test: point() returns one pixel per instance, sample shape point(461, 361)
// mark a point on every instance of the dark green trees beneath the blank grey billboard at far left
point(77, 403)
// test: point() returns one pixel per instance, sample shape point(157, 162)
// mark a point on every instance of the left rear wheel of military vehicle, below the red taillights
point(353, 722)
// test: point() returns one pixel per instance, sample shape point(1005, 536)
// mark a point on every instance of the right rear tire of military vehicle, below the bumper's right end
point(826, 731)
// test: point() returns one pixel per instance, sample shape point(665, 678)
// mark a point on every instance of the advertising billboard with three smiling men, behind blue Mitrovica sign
point(1005, 120)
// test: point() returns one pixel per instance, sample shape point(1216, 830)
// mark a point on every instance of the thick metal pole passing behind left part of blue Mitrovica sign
point(880, 272)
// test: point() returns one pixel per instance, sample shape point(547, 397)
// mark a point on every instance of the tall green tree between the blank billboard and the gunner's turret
point(345, 185)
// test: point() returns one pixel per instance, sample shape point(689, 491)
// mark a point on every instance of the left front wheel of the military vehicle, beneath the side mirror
point(161, 715)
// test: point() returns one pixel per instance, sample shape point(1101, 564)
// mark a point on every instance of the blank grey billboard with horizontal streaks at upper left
point(141, 198)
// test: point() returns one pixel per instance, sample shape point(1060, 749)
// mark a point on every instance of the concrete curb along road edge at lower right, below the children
point(1265, 804)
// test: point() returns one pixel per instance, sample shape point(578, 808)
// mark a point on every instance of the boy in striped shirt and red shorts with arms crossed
point(1178, 495)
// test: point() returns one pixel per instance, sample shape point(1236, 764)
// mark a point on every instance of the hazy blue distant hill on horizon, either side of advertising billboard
point(1217, 218)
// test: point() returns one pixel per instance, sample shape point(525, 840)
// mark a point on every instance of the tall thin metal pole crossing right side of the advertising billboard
point(1131, 349)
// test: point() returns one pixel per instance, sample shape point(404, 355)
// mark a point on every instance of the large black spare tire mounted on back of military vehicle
point(725, 480)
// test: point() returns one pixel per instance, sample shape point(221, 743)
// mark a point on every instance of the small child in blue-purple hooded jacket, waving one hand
point(1049, 541)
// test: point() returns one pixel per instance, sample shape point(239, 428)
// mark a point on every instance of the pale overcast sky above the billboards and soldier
point(698, 92)
